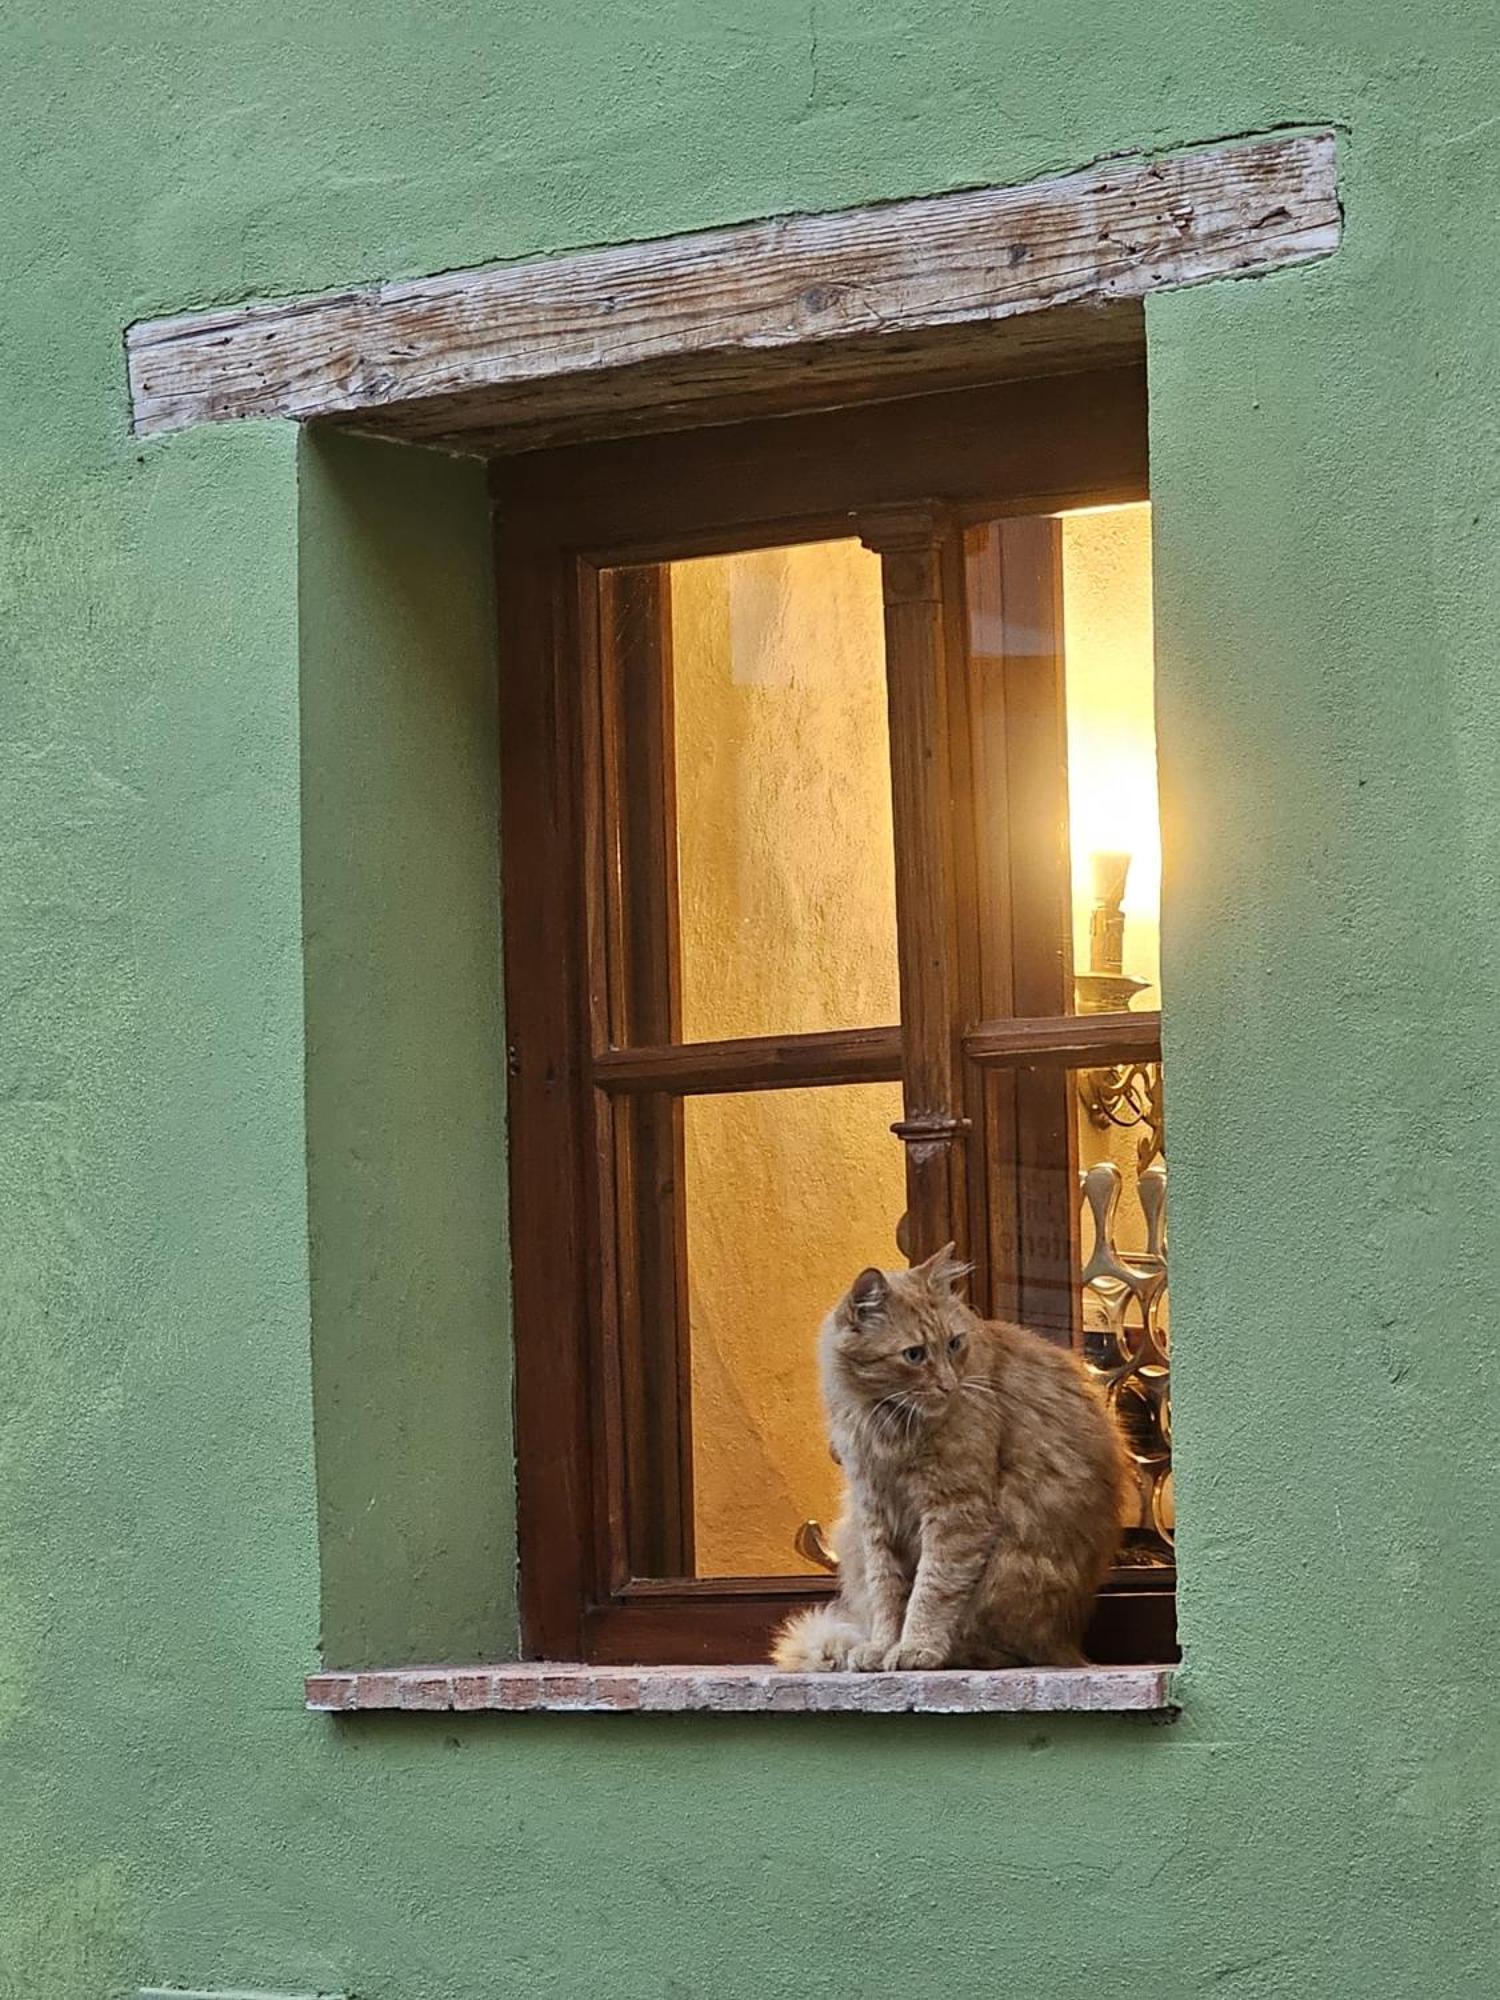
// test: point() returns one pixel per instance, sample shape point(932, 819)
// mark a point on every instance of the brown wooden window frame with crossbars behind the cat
point(563, 519)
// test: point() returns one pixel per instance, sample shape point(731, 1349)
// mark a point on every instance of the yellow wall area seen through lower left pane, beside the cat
point(789, 1197)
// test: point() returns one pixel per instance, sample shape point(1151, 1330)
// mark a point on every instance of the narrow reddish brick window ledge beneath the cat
point(743, 1691)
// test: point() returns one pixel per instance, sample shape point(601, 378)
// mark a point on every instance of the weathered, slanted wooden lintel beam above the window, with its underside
point(783, 315)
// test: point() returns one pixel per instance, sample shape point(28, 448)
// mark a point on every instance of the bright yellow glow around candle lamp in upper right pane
point(1113, 805)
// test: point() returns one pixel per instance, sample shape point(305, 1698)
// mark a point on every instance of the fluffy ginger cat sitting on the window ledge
point(985, 1483)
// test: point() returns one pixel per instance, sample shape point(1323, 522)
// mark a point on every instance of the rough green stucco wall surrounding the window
point(1327, 467)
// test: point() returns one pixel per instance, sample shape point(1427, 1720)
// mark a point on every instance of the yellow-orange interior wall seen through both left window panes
point(787, 925)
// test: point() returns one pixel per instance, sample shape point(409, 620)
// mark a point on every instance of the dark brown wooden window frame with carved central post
point(985, 1025)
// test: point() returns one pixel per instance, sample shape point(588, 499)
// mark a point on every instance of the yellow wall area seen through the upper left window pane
point(787, 915)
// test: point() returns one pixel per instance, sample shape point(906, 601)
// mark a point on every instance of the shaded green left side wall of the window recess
point(405, 1055)
